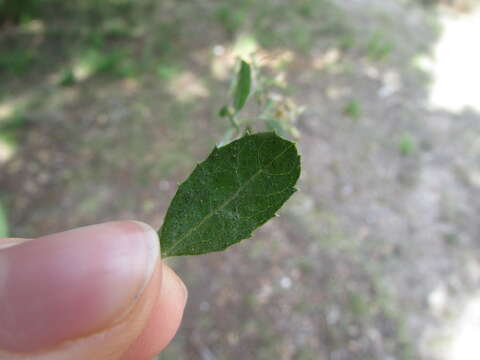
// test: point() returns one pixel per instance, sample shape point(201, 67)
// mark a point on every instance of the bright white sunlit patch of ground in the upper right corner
point(456, 67)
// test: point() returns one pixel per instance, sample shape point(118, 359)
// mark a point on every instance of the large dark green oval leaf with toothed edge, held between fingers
point(239, 187)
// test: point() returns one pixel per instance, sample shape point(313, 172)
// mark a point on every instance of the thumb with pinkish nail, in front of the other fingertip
point(72, 284)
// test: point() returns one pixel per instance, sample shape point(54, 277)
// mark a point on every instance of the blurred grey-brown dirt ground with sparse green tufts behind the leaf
point(375, 257)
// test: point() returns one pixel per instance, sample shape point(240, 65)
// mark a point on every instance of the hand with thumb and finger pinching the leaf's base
point(96, 292)
